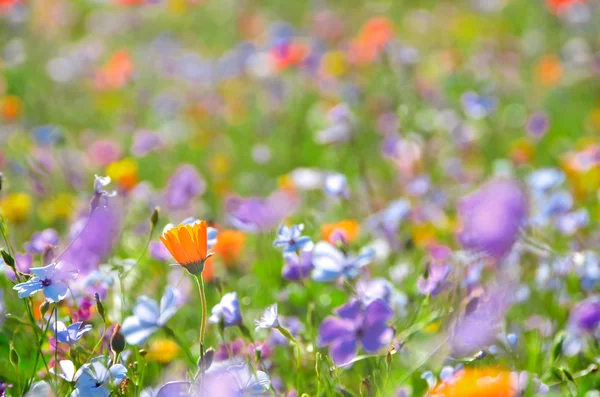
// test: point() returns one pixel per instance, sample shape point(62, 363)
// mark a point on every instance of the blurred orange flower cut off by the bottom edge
point(486, 382)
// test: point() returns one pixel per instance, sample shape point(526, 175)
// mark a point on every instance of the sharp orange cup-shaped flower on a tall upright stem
point(188, 245)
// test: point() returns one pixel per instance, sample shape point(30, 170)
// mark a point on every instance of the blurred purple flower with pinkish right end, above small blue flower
point(257, 214)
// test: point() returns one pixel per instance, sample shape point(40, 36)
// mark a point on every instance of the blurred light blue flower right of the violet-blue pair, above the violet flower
point(331, 263)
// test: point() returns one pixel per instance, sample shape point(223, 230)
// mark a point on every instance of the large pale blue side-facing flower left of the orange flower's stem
point(148, 317)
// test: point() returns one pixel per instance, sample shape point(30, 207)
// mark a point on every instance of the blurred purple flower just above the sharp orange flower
point(183, 187)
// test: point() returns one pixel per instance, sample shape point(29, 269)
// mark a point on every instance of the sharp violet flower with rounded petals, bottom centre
point(356, 323)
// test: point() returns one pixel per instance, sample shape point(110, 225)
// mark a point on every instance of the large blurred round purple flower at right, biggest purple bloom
point(492, 217)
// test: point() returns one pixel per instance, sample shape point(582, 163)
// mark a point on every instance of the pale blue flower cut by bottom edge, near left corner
point(94, 378)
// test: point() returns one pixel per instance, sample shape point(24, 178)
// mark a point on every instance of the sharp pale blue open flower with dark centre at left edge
point(50, 279)
